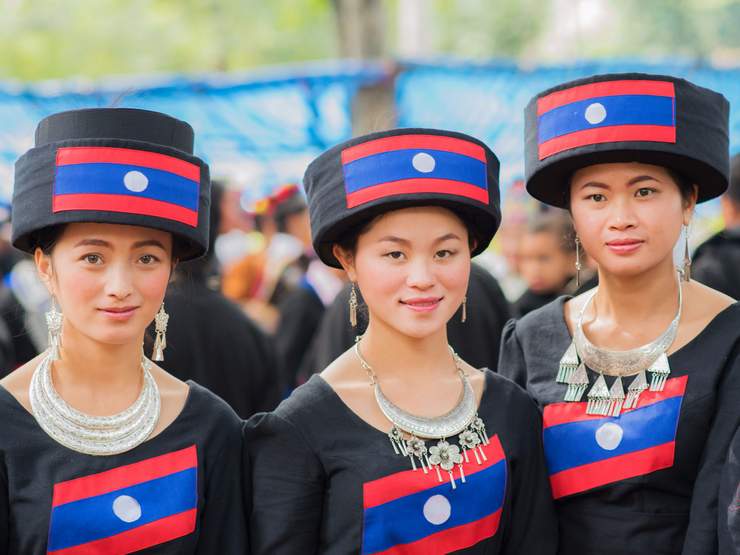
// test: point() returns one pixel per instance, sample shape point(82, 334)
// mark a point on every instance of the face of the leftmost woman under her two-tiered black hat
point(108, 279)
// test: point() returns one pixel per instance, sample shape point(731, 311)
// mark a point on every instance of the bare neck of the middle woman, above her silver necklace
point(391, 353)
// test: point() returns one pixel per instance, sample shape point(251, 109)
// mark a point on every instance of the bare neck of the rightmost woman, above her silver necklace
point(637, 299)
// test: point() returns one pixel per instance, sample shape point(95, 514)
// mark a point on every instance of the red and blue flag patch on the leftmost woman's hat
point(126, 180)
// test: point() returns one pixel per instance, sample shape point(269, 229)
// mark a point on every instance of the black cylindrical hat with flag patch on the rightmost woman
point(631, 117)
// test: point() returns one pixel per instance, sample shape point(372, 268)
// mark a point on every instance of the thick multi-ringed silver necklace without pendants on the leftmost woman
point(94, 435)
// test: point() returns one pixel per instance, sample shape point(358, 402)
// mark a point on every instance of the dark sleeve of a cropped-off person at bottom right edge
point(729, 501)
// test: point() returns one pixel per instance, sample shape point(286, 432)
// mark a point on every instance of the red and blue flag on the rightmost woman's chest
point(586, 451)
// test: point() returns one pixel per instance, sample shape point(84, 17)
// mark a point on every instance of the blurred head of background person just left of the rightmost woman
point(547, 257)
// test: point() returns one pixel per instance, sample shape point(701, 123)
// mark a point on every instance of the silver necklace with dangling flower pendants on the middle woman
point(409, 432)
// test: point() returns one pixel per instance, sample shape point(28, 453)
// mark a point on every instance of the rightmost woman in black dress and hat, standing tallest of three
point(640, 378)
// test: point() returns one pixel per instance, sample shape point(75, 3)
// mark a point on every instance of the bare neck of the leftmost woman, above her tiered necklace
point(97, 365)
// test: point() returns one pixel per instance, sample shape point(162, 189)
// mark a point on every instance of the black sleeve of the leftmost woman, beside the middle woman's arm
point(223, 527)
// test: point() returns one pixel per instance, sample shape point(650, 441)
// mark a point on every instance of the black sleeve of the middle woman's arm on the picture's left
point(287, 488)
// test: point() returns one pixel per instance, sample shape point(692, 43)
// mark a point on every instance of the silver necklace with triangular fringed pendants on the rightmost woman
point(609, 401)
